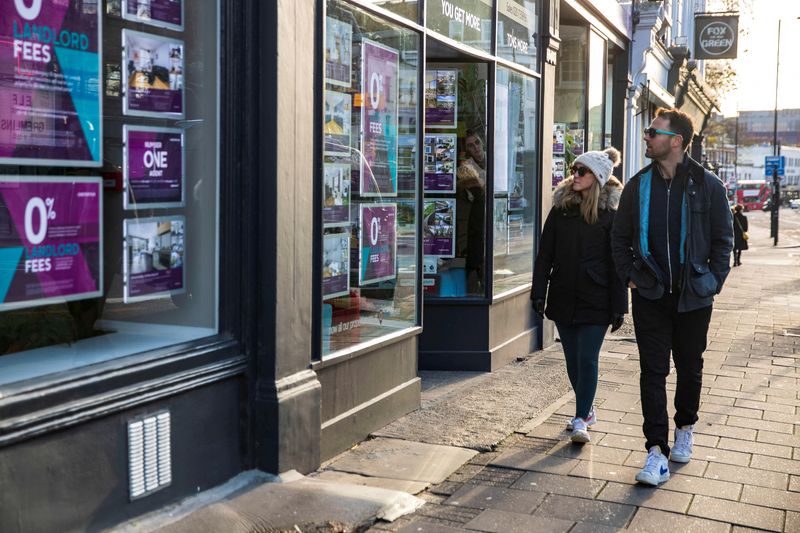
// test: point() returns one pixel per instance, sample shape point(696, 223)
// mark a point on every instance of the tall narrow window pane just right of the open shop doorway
point(515, 179)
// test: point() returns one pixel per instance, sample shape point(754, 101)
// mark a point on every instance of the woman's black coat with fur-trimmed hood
point(574, 268)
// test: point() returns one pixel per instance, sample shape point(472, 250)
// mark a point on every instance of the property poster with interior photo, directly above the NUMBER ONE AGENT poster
point(153, 71)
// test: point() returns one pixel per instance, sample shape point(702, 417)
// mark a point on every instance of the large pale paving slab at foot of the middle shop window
point(402, 459)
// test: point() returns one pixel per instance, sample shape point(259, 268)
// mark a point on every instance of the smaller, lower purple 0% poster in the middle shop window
point(378, 240)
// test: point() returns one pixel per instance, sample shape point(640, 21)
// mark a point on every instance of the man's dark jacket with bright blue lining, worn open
point(707, 231)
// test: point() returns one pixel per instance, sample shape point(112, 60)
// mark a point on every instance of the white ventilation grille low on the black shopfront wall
point(149, 454)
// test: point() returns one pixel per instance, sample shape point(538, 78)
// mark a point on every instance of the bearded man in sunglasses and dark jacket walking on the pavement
point(671, 243)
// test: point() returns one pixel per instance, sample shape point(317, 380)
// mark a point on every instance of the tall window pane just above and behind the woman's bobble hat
point(570, 101)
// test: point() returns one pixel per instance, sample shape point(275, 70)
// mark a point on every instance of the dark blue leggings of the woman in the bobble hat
point(581, 345)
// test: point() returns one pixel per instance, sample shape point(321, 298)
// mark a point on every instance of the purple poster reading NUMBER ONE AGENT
point(153, 167)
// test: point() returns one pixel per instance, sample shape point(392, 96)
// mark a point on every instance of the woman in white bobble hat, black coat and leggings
point(574, 271)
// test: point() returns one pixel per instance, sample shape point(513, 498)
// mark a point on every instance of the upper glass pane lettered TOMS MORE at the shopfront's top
point(517, 27)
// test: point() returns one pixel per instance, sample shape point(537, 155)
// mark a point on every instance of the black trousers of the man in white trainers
point(661, 329)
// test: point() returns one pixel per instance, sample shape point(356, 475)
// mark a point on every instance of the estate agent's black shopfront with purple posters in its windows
point(354, 192)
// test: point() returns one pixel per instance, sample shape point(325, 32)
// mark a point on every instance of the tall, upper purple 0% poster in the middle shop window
point(379, 72)
